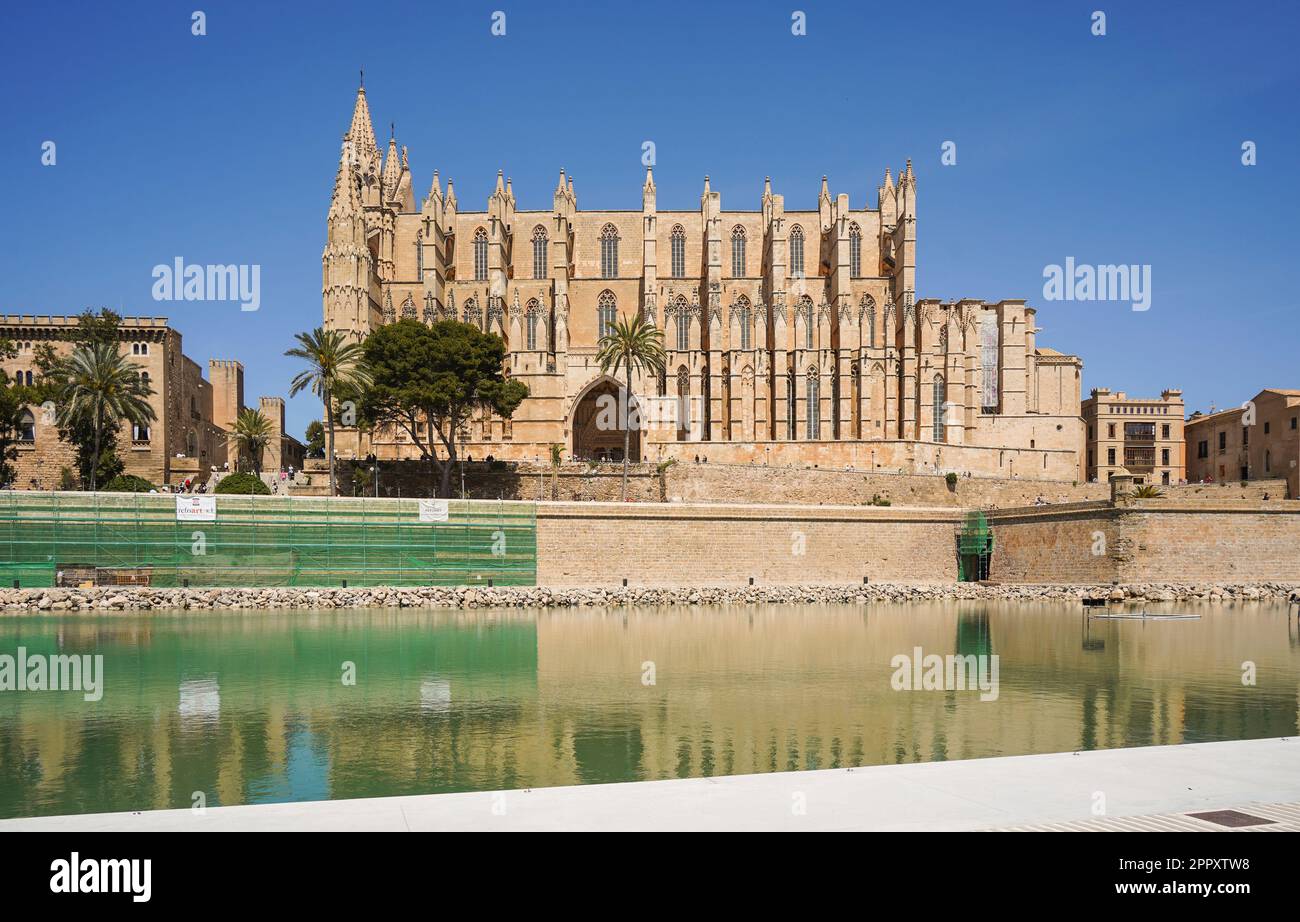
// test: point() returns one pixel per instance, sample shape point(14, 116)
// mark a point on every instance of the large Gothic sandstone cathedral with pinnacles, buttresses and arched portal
point(794, 337)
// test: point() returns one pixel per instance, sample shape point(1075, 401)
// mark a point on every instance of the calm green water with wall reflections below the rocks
point(254, 708)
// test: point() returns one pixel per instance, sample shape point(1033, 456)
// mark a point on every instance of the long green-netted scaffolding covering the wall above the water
point(132, 539)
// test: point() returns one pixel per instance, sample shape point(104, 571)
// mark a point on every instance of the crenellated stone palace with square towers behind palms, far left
point(193, 415)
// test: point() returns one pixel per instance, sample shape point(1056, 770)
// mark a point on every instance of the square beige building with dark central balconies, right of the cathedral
point(1139, 435)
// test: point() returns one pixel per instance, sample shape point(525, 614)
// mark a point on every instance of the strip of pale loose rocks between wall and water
point(25, 601)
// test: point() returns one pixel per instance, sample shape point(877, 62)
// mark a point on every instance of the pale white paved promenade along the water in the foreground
point(1152, 787)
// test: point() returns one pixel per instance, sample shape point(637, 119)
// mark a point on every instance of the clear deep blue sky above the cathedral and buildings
point(1124, 149)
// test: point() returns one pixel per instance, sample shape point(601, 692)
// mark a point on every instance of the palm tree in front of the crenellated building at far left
point(98, 386)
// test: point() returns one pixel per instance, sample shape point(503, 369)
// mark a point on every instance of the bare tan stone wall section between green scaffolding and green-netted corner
point(603, 544)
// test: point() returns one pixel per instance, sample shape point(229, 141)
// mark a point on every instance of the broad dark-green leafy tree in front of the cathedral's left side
point(428, 382)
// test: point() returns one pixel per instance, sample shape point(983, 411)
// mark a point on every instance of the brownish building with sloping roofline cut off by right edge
point(1255, 441)
